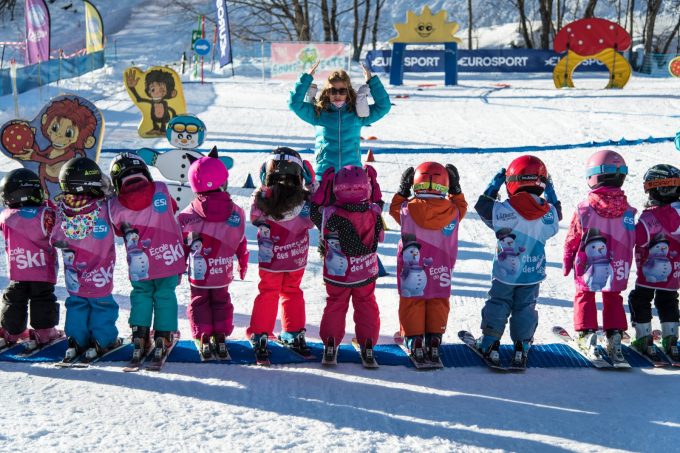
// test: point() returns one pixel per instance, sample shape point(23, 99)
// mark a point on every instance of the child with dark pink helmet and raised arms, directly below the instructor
point(350, 229)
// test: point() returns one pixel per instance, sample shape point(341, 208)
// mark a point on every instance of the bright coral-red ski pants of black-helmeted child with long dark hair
point(275, 287)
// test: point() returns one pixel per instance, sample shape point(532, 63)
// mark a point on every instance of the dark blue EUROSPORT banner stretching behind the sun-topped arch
point(483, 60)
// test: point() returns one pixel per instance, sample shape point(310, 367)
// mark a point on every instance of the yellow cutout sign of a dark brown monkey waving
point(158, 95)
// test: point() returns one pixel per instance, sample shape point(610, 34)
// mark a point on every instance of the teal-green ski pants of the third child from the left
point(154, 298)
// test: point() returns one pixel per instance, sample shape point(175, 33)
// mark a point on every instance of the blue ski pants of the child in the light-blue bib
point(517, 302)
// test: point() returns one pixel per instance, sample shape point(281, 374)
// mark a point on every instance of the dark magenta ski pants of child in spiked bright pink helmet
point(210, 312)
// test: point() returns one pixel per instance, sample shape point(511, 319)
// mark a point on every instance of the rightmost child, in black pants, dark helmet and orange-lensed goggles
point(657, 254)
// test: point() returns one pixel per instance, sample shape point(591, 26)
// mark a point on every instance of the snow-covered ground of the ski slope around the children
point(208, 407)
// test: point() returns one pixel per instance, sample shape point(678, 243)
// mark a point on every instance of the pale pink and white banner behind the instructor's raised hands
point(288, 60)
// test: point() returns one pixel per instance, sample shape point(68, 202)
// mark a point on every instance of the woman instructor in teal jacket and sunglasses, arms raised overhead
point(338, 116)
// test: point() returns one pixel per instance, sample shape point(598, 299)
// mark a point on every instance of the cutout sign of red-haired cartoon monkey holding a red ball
point(66, 127)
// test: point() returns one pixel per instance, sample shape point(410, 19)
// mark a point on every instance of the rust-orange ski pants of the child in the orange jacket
point(419, 316)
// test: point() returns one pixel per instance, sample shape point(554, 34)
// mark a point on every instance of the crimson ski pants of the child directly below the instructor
point(366, 313)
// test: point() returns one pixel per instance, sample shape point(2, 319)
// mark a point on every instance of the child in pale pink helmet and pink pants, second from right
point(599, 248)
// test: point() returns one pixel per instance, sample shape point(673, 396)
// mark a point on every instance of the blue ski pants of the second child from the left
point(91, 318)
